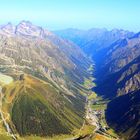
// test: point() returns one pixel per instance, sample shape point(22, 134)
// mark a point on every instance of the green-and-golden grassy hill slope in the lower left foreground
point(37, 108)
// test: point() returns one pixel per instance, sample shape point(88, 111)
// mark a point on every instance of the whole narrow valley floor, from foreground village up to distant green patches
point(95, 126)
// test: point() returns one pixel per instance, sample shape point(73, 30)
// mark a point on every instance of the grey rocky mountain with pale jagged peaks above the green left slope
point(30, 48)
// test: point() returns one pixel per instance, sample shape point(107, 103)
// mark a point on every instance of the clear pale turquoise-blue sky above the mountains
point(83, 14)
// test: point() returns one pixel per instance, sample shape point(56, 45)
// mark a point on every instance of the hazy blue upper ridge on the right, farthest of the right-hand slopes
point(118, 55)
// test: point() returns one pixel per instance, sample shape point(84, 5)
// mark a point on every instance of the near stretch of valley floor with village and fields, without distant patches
point(95, 116)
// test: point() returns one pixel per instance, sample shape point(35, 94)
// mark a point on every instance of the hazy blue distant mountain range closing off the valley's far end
point(93, 40)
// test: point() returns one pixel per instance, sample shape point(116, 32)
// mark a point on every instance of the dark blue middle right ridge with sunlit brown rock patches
point(124, 81)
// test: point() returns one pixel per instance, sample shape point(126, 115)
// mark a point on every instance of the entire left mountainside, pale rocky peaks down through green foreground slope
point(52, 83)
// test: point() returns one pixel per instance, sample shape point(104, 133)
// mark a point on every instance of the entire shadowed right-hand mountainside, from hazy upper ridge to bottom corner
point(121, 74)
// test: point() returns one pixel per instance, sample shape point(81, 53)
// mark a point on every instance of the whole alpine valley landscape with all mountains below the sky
point(69, 84)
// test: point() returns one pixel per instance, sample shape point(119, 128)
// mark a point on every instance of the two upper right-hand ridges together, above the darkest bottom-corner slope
point(119, 65)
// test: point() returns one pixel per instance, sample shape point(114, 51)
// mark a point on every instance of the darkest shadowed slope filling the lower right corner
point(123, 115)
